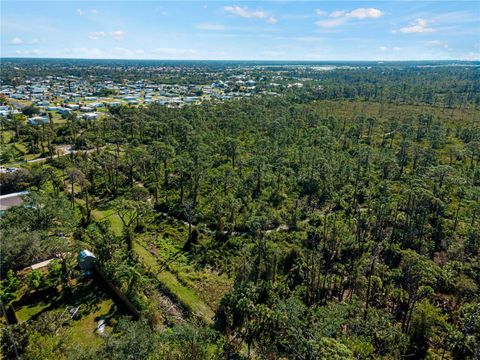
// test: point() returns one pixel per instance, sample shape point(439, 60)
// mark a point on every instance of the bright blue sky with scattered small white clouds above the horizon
point(244, 30)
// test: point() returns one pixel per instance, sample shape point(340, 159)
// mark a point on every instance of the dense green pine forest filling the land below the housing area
point(336, 221)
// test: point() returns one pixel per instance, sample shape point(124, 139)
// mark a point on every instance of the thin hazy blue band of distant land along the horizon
point(244, 60)
